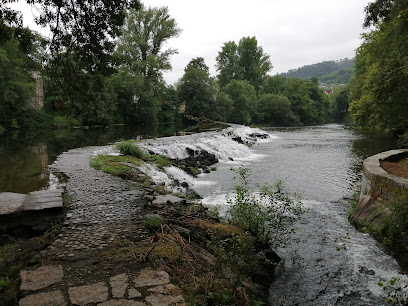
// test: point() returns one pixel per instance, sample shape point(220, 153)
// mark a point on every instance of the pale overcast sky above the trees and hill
point(293, 32)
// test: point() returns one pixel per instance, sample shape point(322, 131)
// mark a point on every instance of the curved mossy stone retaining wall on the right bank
point(376, 211)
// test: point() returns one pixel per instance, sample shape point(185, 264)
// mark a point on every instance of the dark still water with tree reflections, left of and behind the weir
point(24, 156)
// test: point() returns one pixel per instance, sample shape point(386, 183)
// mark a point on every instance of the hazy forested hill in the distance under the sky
point(330, 72)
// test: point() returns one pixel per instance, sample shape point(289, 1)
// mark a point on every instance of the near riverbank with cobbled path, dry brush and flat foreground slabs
point(125, 243)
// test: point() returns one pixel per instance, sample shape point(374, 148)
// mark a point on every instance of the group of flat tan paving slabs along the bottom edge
point(147, 287)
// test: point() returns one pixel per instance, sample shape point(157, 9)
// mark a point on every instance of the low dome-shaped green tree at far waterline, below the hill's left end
point(275, 110)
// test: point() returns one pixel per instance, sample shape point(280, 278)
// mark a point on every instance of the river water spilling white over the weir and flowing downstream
point(332, 263)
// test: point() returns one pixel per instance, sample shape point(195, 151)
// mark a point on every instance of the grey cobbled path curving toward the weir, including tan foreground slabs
point(103, 210)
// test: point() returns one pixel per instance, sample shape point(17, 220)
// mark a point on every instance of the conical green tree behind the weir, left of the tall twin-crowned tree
point(197, 89)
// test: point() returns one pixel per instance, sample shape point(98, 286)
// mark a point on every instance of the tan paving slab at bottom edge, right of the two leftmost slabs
point(83, 295)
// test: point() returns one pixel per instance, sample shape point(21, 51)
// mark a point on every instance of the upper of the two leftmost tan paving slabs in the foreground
point(41, 277)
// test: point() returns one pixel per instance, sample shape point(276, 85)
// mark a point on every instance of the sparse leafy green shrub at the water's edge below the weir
point(268, 214)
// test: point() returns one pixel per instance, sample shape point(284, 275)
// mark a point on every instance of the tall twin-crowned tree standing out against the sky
point(245, 61)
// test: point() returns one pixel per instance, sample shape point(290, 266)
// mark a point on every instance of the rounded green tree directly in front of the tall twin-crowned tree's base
point(243, 96)
